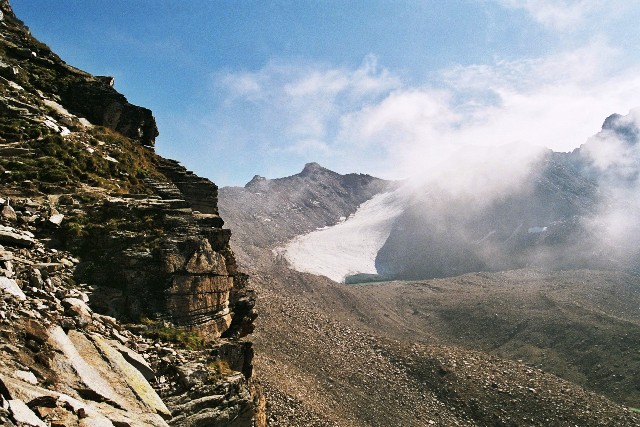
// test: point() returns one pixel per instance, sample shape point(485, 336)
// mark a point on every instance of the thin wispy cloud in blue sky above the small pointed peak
point(300, 106)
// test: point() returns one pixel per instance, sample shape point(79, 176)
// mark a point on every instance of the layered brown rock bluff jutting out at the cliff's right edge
point(186, 273)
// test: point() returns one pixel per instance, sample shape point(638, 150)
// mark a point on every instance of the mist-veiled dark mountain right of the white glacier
point(566, 211)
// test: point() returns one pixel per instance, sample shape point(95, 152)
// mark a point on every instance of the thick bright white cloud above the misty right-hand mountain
point(555, 102)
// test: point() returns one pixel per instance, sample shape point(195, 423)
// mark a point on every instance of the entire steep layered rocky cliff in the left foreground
point(120, 300)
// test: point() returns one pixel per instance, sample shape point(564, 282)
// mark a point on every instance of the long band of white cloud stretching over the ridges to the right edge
point(367, 119)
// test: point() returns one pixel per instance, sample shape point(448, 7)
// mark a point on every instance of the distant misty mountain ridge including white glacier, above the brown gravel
point(486, 209)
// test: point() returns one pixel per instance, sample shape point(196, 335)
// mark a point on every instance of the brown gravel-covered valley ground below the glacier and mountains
point(505, 349)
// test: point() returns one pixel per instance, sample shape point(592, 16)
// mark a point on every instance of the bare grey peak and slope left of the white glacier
point(281, 209)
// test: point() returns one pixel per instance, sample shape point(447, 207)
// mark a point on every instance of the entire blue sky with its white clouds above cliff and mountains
point(240, 88)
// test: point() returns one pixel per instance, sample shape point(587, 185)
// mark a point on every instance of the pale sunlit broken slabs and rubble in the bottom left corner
point(60, 362)
